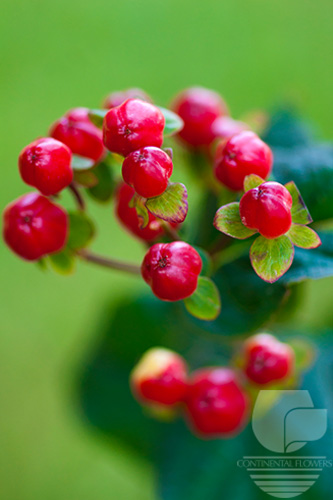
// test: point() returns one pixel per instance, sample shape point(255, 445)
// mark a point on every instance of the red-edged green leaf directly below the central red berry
point(170, 206)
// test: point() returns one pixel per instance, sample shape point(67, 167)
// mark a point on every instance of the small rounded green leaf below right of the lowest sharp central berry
point(205, 302)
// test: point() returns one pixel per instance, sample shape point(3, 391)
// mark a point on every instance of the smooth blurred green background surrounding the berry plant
point(58, 55)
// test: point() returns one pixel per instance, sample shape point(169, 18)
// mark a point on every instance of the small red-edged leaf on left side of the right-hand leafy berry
point(227, 220)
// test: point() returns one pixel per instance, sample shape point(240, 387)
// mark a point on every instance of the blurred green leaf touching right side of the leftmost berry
point(81, 230)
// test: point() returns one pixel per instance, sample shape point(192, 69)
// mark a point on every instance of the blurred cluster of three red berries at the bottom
point(215, 401)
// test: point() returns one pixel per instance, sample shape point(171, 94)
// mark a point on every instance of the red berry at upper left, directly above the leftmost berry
point(46, 165)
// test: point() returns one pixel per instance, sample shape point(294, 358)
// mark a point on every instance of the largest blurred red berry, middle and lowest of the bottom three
point(217, 406)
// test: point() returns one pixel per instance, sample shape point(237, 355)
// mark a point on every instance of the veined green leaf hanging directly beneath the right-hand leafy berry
point(271, 258)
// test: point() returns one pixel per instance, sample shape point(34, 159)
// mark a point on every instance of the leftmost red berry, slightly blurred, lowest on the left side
point(34, 226)
